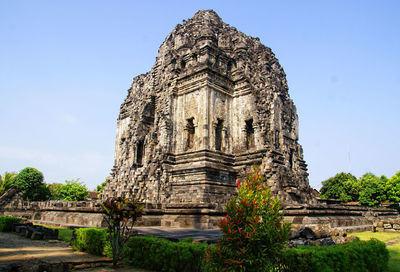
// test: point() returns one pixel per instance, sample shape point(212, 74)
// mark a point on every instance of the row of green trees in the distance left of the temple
point(30, 182)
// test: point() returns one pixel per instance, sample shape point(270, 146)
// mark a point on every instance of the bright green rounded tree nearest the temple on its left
point(72, 190)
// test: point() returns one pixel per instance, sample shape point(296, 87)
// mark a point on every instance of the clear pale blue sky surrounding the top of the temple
point(65, 67)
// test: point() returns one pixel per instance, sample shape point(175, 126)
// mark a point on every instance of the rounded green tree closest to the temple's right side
point(343, 186)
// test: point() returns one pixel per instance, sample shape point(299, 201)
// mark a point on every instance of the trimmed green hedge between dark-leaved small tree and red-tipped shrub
point(162, 255)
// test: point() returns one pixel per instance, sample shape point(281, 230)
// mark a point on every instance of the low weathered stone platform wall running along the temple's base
point(204, 216)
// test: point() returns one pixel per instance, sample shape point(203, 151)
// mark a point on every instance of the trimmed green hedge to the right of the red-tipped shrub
point(357, 256)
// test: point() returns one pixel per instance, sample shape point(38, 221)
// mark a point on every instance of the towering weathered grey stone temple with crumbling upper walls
point(215, 103)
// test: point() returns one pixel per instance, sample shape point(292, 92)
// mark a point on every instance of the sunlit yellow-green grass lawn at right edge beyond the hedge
point(394, 250)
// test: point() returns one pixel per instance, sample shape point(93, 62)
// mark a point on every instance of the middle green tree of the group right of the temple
point(372, 191)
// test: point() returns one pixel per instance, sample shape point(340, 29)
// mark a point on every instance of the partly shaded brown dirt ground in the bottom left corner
point(28, 254)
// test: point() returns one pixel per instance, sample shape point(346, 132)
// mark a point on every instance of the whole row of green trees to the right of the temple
point(368, 190)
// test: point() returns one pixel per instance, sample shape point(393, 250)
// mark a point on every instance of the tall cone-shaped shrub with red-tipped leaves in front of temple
point(253, 230)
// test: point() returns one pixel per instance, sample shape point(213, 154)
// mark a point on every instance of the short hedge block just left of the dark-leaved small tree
point(91, 240)
